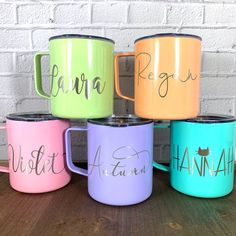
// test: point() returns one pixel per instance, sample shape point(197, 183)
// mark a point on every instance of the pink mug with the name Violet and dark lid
point(36, 152)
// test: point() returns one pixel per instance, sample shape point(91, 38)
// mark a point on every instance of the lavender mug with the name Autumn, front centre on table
point(120, 155)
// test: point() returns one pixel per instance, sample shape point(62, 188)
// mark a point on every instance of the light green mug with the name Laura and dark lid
point(81, 76)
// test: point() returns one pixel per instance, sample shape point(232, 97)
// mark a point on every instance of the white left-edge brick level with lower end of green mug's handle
point(14, 86)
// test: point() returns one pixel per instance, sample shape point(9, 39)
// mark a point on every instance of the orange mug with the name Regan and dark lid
point(167, 76)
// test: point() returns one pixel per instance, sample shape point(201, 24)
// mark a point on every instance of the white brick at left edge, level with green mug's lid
point(14, 39)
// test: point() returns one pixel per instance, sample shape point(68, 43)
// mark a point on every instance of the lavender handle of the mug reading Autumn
point(69, 162)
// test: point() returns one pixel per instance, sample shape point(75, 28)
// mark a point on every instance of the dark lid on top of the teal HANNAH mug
point(208, 118)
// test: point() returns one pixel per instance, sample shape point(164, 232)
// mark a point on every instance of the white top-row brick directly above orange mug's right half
point(186, 14)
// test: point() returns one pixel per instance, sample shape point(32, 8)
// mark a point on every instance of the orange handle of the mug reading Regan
point(117, 74)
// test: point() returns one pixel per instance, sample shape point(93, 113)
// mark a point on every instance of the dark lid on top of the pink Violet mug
point(31, 116)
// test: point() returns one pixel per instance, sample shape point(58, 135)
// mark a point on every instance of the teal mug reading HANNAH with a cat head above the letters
point(202, 154)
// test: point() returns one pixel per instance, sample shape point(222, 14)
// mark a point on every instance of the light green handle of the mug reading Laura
point(38, 74)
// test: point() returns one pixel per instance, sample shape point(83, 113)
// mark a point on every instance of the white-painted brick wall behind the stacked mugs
point(25, 27)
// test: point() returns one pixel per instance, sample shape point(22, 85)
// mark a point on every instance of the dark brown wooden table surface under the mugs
point(70, 211)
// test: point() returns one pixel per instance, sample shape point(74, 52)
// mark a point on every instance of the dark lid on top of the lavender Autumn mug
point(120, 121)
